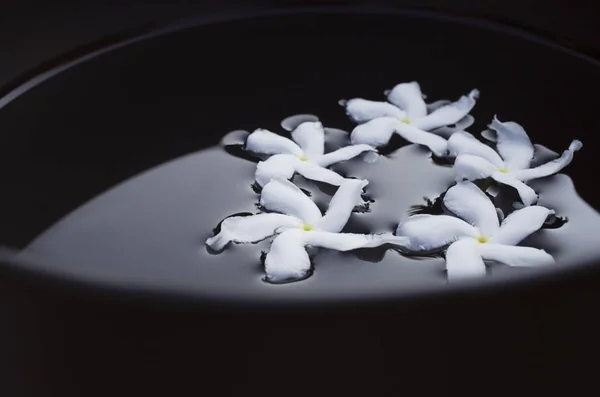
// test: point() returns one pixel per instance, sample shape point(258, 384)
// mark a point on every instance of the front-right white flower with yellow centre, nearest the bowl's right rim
point(478, 236)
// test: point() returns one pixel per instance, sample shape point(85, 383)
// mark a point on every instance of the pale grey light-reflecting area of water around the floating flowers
point(159, 241)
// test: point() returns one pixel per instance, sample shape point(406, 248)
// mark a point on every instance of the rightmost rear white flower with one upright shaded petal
point(512, 165)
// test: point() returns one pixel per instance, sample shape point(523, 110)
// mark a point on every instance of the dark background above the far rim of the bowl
point(32, 31)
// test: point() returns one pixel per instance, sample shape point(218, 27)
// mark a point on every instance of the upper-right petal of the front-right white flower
point(520, 224)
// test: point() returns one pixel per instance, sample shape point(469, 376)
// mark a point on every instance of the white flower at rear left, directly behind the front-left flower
point(304, 154)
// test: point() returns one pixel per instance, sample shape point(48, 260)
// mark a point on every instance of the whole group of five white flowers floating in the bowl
point(471, 230)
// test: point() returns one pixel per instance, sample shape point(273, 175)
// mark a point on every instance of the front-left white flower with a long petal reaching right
point(299, 223)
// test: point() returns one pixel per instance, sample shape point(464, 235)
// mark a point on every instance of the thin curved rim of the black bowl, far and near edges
point(12, 266)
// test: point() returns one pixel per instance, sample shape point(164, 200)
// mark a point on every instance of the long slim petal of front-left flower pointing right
point(351, 241)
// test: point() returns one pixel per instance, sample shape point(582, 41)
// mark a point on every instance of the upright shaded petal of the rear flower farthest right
point(513, 144)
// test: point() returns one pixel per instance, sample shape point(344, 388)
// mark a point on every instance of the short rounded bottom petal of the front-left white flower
point(287, 259)
